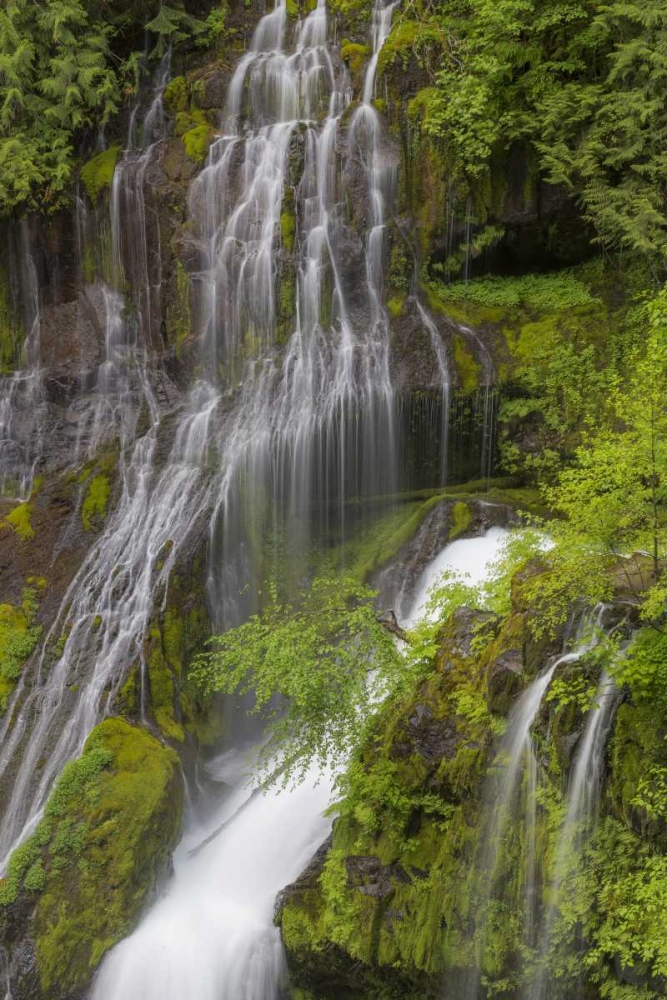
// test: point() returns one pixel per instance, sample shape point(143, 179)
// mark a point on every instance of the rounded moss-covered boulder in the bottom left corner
point(78, 885)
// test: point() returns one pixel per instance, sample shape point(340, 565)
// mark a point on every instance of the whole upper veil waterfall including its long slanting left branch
point(305, 432)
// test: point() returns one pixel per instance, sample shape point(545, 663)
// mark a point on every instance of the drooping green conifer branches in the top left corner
point(66, 66)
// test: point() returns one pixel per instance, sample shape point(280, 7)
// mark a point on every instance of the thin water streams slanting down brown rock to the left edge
point(107, 607)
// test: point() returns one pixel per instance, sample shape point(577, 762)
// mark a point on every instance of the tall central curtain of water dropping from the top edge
point(317, 425)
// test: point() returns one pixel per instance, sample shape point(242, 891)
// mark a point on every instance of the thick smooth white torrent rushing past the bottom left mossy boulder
point(212, 935)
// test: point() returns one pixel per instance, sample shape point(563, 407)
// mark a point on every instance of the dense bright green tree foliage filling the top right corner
point(581, 84)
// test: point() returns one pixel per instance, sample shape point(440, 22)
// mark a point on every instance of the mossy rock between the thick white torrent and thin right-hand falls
point(381, 912)
